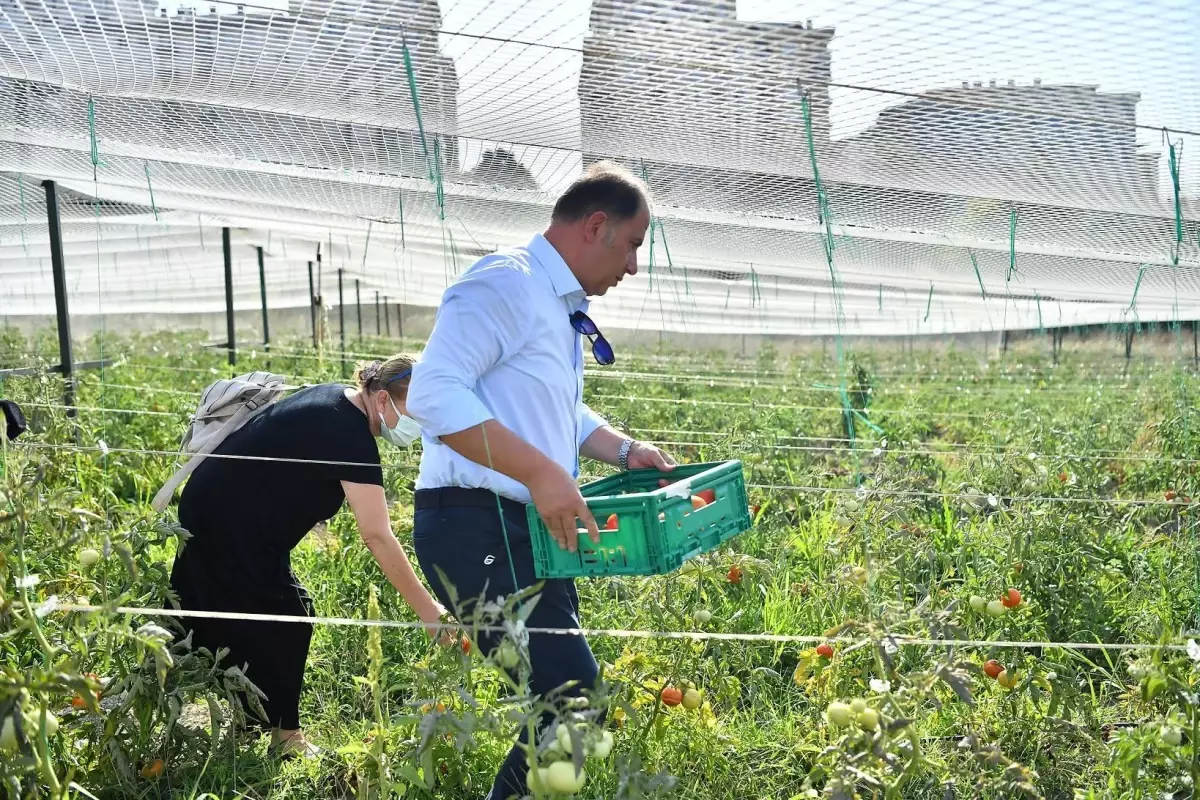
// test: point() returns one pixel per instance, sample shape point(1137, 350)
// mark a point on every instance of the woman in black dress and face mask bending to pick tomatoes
point(245, 515)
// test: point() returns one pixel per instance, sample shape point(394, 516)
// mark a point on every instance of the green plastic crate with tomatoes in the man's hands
point(657, 530)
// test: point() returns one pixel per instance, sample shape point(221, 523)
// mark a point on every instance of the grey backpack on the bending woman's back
point(225, 407)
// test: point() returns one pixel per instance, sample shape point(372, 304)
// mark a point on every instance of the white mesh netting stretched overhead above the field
point(409, 139)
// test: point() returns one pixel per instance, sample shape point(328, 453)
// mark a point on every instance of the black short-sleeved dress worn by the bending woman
point(247, 515)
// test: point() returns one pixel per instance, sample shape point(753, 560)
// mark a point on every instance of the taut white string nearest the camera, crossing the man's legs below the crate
point(779, 639)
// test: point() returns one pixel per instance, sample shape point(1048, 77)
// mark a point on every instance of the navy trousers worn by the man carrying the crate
point(460, 532)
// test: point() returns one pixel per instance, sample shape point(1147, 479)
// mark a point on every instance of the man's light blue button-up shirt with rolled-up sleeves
point(503, 348)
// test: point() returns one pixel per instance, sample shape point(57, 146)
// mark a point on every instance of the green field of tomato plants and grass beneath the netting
point(1052, 479)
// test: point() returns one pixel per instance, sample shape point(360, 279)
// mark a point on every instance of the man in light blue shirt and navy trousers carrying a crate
point(500, 396)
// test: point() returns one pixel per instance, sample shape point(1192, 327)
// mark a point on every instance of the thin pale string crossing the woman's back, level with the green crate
point(781, 488)
